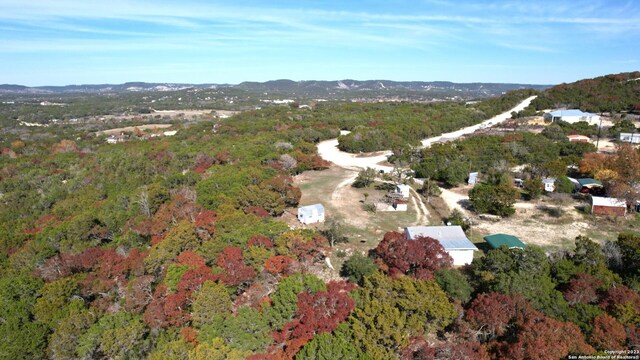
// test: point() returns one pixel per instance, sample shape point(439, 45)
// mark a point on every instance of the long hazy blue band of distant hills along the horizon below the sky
point(310, 88)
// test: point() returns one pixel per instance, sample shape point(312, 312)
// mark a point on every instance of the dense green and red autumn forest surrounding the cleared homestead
point(171, 248)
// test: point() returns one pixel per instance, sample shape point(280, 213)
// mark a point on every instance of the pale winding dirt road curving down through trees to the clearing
point(329, 151)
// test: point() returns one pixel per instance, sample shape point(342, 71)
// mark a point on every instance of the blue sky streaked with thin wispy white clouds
point(59, 42)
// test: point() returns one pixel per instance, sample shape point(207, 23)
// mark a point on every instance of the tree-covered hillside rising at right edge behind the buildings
point(610, 93)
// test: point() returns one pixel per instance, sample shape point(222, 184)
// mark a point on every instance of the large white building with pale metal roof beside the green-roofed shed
point(452, 239)
